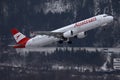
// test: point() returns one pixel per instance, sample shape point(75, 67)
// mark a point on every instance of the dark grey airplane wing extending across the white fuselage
point(48, 33)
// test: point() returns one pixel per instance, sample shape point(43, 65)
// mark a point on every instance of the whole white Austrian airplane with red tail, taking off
point(44, 38)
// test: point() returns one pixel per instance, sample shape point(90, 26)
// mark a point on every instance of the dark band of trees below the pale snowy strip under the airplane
point(81, 57)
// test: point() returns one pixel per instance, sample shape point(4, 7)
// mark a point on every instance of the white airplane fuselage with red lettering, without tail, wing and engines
point(82, 26)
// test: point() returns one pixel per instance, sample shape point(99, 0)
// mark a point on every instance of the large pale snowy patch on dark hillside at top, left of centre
point(53, 7)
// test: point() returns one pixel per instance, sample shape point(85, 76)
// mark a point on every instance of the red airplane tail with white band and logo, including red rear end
point(20, 38)
